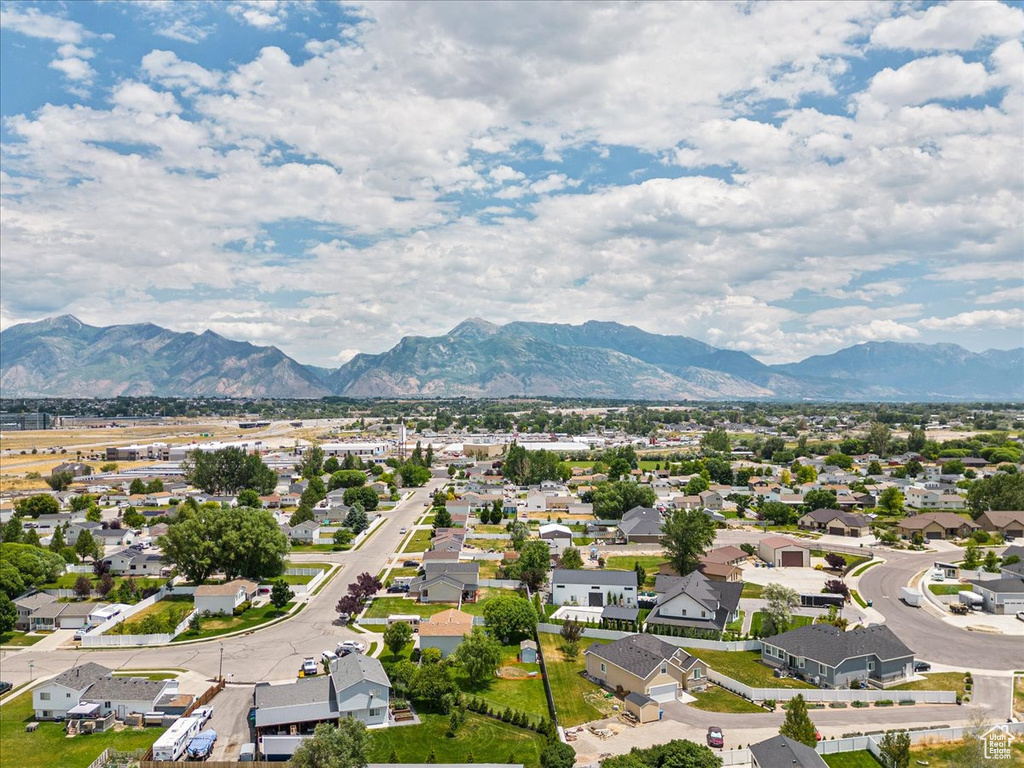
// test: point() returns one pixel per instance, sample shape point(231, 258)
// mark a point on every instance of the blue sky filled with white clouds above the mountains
point(784, 179)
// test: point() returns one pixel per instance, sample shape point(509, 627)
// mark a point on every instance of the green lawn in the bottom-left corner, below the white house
point(50, 747)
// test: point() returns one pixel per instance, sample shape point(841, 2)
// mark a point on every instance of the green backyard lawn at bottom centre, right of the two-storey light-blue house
point(487, 740)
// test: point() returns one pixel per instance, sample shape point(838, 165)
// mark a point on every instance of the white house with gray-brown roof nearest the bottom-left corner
point(91, 690)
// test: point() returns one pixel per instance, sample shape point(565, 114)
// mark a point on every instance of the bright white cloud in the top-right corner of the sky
point(956, 26)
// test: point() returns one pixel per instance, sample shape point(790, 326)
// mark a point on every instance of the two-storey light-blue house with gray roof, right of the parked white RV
point(355, 687)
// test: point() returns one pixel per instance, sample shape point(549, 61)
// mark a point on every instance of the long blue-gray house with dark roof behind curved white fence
point(835, 659)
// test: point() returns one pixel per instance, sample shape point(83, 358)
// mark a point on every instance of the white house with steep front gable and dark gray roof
point(696, 603)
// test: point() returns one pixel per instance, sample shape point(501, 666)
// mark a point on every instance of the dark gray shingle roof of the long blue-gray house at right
point(832, 647)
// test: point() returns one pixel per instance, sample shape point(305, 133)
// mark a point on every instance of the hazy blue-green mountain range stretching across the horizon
point(63, 357)
